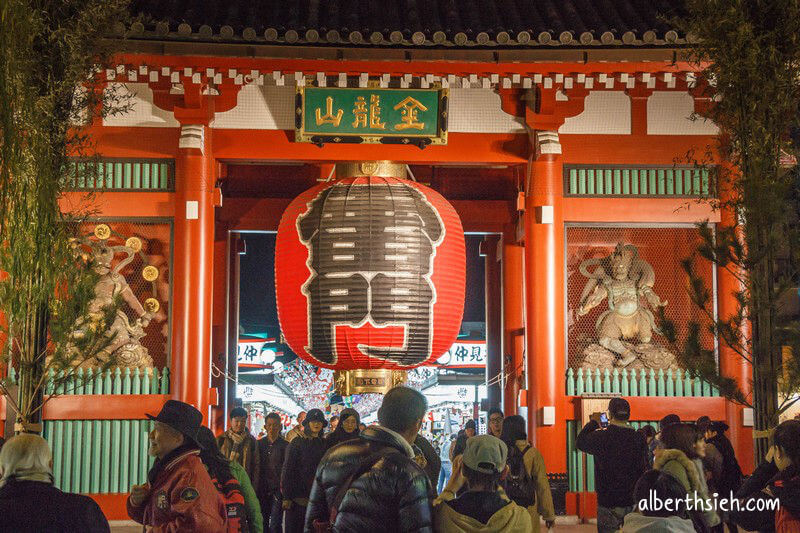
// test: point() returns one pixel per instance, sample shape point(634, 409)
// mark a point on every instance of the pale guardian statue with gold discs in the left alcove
point(125, 347)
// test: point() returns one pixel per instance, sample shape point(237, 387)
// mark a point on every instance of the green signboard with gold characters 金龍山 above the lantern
point(371, 115)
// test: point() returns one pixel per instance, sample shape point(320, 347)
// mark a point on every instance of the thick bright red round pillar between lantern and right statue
point(544, 301)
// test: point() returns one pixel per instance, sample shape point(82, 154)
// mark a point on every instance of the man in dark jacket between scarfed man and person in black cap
point(272, 451)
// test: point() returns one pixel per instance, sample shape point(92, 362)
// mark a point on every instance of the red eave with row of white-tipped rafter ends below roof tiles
point(166, 71)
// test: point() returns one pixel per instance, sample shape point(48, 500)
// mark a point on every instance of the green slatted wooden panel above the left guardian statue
point(123, 175)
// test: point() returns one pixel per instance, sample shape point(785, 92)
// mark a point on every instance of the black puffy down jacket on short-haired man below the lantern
point(394, 495)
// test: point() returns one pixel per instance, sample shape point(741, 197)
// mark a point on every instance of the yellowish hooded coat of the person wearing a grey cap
point(481, 512)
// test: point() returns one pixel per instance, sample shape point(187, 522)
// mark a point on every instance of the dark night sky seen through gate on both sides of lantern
point(257, 293)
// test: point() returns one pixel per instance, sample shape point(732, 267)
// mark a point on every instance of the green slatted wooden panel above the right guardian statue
point(583, 180)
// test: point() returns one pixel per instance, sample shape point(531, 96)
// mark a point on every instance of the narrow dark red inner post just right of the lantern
point(494, 320)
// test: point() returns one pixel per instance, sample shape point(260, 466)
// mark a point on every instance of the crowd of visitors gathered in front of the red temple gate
point(338, 475)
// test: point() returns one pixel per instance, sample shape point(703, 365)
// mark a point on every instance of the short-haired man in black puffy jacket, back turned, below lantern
point(389, 492)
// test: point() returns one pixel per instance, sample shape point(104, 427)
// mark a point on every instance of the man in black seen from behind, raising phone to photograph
point(620, 458)
